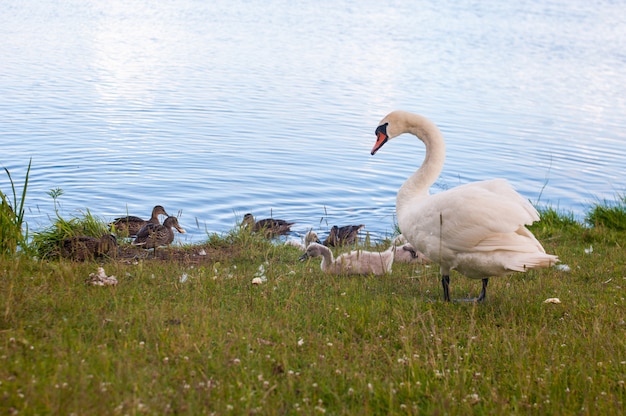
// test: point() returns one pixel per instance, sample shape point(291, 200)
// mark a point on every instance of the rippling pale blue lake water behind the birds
point(214, 109)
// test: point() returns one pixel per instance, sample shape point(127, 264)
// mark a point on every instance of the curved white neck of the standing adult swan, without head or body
point(418, 184)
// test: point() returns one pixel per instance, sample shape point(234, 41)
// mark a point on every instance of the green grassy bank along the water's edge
point(188, 332)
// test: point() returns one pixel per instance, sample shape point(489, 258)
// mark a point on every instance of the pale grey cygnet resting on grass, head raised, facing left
point(354, 262)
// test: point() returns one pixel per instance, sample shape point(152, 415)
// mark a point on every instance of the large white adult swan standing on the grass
point(477, 229)
